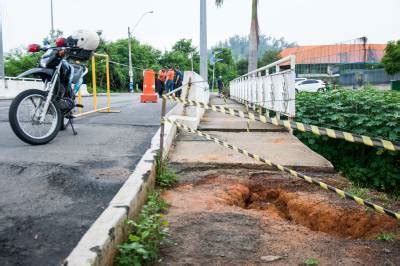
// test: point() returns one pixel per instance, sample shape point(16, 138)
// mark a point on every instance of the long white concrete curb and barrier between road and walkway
point(99, 244)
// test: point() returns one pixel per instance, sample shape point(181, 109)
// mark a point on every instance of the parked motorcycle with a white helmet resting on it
point(36, 116)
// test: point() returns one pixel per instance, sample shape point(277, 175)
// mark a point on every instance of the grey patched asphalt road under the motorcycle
point(51, 194)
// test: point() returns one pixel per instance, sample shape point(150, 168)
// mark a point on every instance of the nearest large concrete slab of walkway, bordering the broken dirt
point(281, 148)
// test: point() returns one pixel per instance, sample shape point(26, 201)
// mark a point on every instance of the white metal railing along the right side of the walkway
point(274, 92)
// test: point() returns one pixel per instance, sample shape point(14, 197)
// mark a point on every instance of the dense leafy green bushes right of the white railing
point(366, 112)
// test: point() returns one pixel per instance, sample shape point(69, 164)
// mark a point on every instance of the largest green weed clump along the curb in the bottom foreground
point(148, 232)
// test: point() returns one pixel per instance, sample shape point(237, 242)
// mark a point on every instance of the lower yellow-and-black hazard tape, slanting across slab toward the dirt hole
point(306, 178)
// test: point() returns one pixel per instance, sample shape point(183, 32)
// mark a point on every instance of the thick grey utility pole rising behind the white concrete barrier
point(203, 40)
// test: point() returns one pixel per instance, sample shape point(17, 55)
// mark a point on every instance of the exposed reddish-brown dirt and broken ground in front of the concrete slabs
point(237, 217)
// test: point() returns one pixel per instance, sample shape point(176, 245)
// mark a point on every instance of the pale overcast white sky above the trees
point(303, 21)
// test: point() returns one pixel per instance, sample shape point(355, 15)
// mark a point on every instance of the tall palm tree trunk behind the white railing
point(254, 34)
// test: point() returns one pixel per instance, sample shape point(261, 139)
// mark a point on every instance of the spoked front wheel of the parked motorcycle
point(24, 117)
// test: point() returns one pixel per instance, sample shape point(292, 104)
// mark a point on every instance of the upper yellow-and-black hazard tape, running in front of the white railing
point(320, 131)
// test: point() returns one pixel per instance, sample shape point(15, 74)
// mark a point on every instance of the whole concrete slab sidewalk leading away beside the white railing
point(268, 141)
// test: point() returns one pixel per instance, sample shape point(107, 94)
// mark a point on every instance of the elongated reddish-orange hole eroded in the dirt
point(309, 210)
